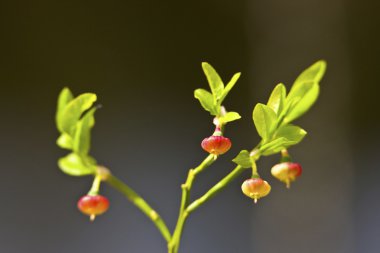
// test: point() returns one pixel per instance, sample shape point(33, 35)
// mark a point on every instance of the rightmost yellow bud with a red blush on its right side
point(287, 172)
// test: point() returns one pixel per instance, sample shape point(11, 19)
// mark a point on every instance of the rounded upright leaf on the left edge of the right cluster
point(265, 120)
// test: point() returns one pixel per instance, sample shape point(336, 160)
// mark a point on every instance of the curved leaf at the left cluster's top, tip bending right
point(73, 111)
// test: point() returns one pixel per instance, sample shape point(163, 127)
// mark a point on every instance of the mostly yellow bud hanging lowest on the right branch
point(255, 188)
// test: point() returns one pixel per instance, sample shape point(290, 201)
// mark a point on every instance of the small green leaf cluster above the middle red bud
point(212, 102)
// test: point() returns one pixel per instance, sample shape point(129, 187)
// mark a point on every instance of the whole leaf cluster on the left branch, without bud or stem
point(75, 119)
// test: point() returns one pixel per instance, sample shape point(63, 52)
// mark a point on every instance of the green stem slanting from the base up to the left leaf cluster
point(140, 203)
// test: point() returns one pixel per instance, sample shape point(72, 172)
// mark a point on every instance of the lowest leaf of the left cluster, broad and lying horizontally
point(74, 165)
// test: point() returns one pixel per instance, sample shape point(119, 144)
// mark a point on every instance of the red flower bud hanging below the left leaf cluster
point(93, 205)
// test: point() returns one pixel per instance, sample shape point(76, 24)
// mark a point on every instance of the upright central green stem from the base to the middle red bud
point(183, 214)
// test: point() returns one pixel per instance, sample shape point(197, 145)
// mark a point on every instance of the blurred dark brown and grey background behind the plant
point(143, 60)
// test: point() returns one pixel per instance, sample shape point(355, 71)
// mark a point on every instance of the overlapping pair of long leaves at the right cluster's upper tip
point(306, 88)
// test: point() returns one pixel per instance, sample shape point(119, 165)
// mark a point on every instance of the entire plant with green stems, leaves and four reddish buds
point(273, 122)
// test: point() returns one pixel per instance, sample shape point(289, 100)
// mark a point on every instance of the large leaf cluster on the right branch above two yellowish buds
point(272, 120)
